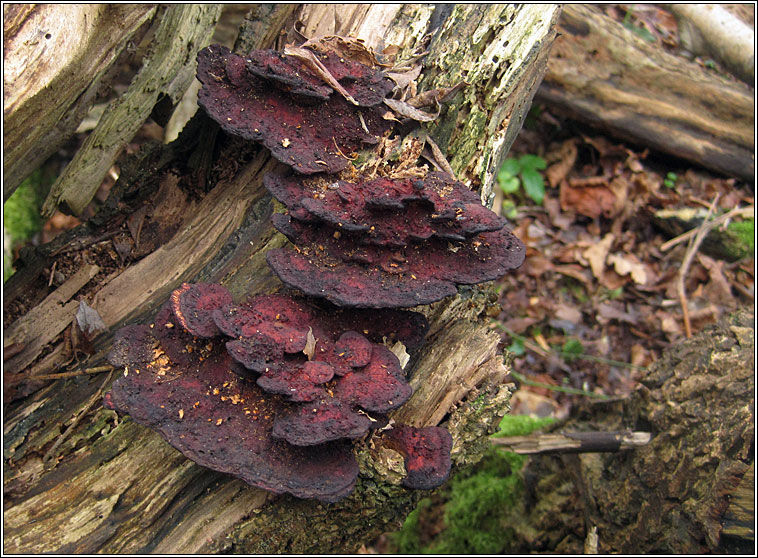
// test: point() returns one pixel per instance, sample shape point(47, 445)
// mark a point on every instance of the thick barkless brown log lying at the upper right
point(603, 74)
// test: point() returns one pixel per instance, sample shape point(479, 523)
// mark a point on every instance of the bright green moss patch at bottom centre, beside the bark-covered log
point(474, 502)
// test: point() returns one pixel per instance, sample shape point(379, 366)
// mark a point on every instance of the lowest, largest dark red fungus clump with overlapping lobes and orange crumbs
point(246, 420)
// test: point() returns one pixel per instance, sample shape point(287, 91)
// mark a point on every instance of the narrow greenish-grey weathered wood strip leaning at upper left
point(184, 29)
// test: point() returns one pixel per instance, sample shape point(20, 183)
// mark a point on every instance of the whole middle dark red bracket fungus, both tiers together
point(388, 243)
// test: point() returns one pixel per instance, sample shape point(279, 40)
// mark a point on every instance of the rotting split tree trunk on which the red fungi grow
point(80, 479)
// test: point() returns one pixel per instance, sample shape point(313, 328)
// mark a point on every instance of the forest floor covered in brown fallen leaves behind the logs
point(608, 282)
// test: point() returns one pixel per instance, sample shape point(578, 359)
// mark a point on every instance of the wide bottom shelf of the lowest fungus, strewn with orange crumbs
point(218, 419)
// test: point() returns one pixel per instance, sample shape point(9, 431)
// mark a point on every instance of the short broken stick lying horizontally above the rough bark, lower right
point(573, 442)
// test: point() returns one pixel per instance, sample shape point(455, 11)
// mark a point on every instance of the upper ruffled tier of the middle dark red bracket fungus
point(389, 212)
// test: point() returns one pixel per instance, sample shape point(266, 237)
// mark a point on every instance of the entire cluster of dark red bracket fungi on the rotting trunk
point(273, 389)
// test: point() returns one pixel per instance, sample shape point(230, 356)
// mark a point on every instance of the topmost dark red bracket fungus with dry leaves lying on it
point(261, 98)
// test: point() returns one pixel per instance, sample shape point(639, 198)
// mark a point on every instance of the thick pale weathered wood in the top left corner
point(56, 59)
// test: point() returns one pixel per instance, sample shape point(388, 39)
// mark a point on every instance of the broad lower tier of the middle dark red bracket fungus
point(342, 270)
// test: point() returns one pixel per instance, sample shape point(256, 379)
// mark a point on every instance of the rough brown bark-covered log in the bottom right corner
point(685, 491)
